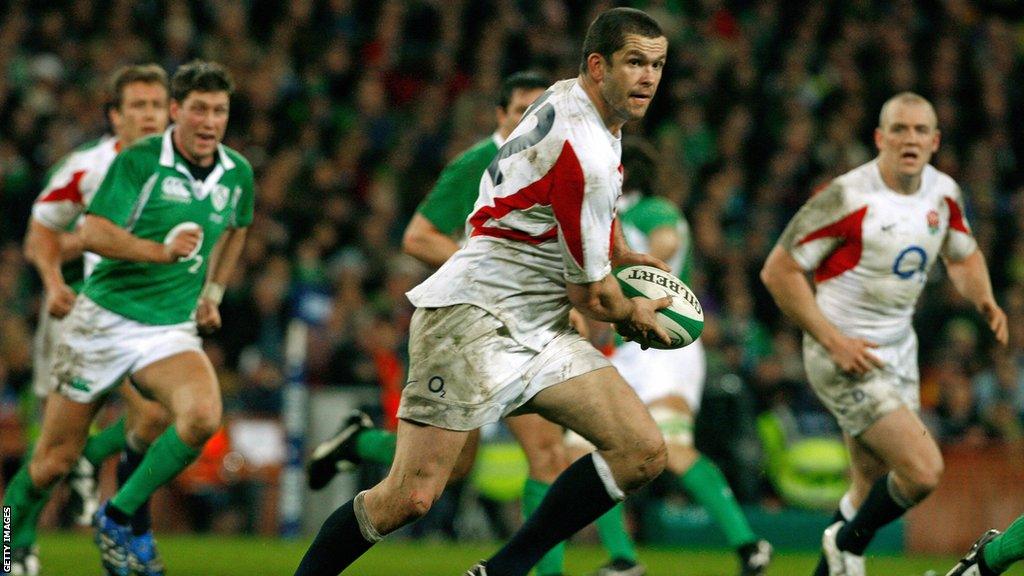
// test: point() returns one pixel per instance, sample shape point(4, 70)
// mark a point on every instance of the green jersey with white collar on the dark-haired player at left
point(149, 192)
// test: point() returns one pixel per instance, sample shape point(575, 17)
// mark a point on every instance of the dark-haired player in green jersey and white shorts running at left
point(169, 222)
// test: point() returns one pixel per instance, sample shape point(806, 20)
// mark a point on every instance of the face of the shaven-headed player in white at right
point(908, 139)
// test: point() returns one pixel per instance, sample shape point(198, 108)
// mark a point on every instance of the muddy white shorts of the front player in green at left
point(99, 348)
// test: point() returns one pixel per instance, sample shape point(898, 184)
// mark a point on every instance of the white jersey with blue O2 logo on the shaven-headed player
point(871, 248)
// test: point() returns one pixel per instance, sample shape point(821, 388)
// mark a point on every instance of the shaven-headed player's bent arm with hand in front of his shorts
point(788, 283)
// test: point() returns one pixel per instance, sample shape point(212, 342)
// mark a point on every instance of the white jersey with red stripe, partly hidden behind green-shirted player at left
point(73, 183)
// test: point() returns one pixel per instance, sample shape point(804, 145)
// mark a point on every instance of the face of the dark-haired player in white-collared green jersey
point(201, 121)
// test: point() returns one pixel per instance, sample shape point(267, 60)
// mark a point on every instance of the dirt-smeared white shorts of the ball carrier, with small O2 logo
point(465, 371)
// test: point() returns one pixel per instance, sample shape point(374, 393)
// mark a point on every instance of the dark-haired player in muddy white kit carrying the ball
point(491, 337)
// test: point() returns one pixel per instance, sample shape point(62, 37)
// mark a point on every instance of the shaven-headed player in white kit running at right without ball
point(871, 239)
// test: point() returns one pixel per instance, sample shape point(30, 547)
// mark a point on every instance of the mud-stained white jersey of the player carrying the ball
point(544, 218)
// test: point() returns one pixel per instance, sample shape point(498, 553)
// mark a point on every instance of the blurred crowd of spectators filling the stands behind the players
point(349, 110)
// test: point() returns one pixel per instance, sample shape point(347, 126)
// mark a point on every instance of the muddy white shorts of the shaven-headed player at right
point(859, 402)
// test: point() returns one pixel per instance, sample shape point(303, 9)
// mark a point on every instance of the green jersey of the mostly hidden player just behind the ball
point(646, 215)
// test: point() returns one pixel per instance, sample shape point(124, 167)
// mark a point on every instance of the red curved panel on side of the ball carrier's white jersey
point(563, 177)
